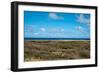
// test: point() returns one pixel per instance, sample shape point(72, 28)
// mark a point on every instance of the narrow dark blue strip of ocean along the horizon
point(56, 38)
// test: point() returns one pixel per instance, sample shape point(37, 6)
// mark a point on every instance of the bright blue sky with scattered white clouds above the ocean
point(56, 25)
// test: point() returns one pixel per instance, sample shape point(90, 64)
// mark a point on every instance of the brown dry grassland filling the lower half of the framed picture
point(56, 50)
